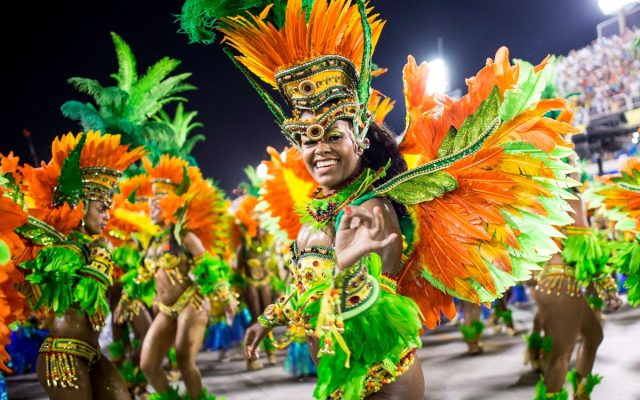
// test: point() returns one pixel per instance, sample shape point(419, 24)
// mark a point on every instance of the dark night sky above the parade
point(51, 45)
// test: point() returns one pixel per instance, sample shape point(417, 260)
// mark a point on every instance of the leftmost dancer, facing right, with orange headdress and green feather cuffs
point(69, 201)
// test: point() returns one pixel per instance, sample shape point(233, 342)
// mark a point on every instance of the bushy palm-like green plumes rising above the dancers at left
point(134, 108)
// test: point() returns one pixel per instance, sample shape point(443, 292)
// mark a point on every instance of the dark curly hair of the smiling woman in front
point(382, 148)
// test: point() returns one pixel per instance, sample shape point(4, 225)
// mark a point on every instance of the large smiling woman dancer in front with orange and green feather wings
point(392, 233)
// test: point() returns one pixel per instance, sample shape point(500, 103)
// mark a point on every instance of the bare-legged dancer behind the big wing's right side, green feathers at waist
point(564, 313)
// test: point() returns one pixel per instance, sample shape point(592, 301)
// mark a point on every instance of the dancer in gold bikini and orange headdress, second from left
point(184, 262)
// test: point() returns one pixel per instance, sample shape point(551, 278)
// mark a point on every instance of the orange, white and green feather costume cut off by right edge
point(617, 198)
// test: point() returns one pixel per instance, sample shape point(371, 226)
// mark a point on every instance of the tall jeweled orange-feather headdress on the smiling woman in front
point(317, 56)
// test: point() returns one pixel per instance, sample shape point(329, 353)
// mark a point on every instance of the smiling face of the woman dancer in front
point(334, 158)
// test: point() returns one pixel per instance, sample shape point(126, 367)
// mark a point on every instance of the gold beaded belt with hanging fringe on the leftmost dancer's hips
point(61, 369)
